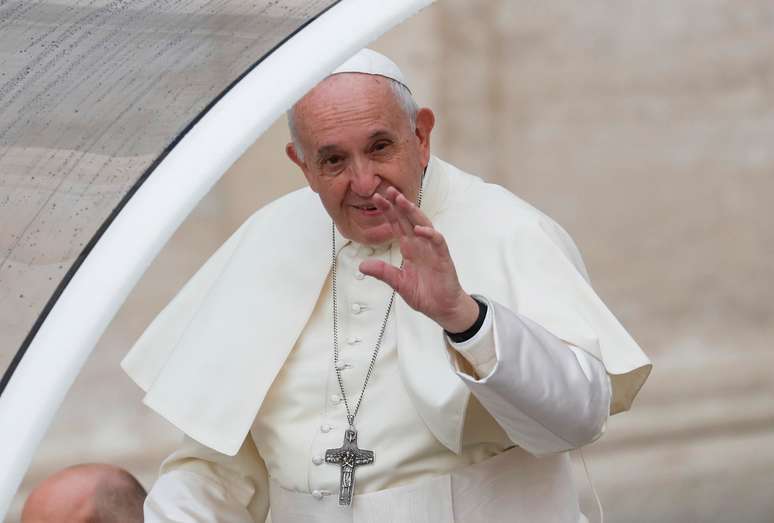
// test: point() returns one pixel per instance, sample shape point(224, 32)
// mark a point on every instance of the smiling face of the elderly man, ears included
point(357, 141)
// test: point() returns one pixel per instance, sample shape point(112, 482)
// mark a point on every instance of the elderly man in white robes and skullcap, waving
point(400, 341)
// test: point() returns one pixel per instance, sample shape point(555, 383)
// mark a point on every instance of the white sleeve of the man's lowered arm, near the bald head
point(199, 484)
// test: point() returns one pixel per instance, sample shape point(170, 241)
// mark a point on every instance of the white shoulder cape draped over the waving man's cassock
point(208, 359)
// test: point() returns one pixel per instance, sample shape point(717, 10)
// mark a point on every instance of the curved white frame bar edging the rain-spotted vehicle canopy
point(189, 171)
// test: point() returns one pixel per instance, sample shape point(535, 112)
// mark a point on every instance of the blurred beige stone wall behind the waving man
point(646, 128)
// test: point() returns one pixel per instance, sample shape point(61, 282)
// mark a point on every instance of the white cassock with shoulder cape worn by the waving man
point(241, 361)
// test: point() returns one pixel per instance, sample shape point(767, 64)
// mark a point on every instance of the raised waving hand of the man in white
point(428, 280)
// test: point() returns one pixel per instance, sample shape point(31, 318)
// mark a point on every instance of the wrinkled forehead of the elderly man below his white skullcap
point(348, 106)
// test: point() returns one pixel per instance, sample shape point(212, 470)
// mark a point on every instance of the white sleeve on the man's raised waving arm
point(547, 398)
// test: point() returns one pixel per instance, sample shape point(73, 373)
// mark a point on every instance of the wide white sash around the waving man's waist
point(511, 487)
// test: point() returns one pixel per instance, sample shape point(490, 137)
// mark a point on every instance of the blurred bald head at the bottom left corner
point(89, 493)
